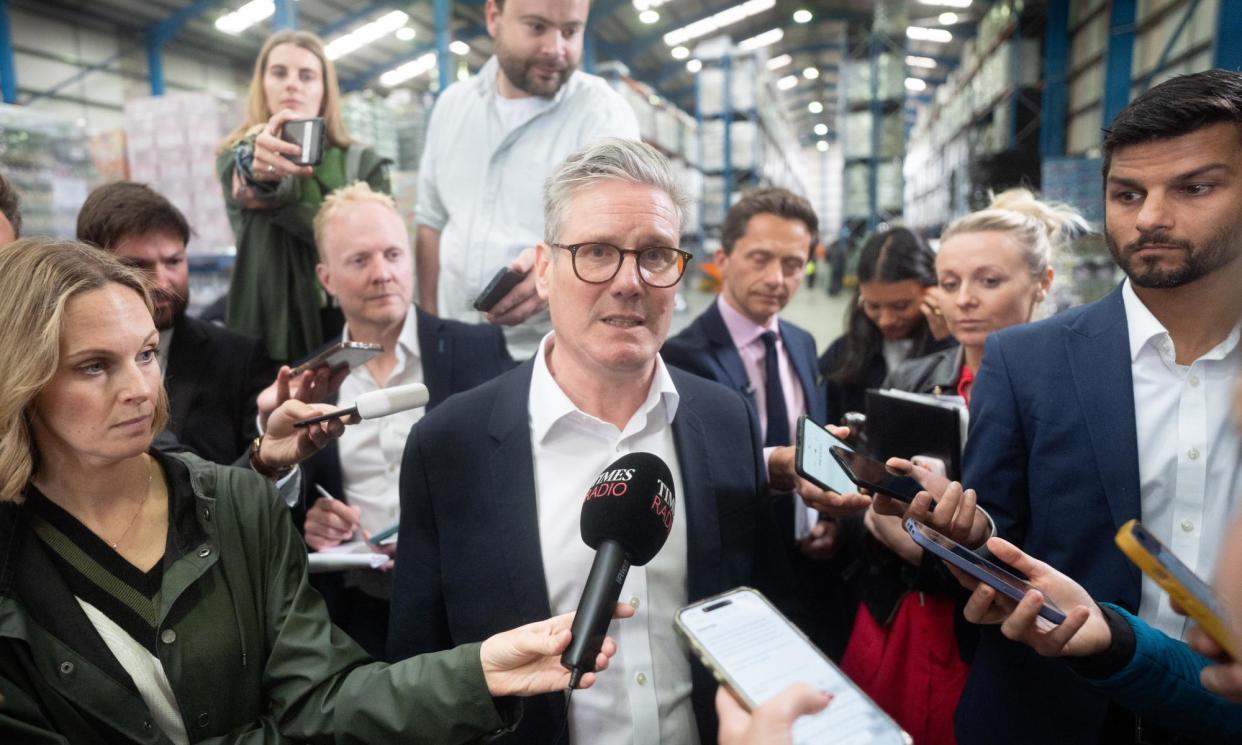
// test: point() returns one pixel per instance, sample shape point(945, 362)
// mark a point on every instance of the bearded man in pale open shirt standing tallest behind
point(491, 142)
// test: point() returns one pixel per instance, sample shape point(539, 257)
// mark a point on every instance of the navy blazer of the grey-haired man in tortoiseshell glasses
point(470, 563)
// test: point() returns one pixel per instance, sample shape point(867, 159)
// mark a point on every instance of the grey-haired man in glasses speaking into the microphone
point(492, 482)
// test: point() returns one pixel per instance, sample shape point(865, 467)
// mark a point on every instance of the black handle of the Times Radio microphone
point(596, 609)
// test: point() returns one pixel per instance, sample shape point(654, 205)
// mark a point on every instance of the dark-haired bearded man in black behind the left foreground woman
point(213, 376)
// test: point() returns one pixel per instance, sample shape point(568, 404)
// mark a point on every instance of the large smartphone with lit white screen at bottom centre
point(747, 640)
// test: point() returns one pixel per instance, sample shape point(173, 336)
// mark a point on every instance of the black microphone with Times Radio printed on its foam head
point(627, 517)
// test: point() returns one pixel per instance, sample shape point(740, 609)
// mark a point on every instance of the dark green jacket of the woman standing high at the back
point(275, 294)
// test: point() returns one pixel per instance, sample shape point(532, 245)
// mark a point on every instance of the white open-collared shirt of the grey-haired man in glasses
point(645, 697)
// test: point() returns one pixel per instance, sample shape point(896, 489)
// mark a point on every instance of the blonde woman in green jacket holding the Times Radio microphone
point(153, 598)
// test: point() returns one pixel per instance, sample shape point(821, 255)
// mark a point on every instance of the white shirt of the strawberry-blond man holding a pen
point(371, 451)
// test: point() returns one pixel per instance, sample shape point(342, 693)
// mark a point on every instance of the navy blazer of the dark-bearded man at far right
point(1054, 456)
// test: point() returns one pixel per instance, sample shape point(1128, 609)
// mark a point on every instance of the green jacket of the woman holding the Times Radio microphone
point(245, 641)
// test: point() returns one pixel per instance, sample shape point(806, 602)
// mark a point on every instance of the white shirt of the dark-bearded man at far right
point(1190, 456)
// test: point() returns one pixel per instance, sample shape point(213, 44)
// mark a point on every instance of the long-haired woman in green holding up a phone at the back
point(273, 202)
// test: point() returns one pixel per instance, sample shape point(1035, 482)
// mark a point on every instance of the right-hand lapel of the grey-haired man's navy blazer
point(699, 506)
